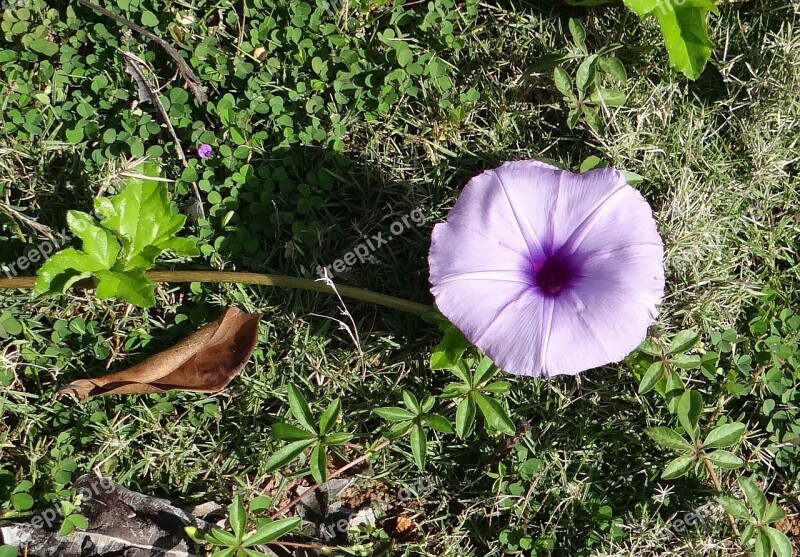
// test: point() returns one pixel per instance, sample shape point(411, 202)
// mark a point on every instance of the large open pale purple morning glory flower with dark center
point(546, 271)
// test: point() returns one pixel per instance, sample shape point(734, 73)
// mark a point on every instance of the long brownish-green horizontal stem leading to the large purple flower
point(280, 281)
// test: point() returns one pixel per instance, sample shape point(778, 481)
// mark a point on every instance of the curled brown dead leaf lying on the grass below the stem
point(204, 362)
